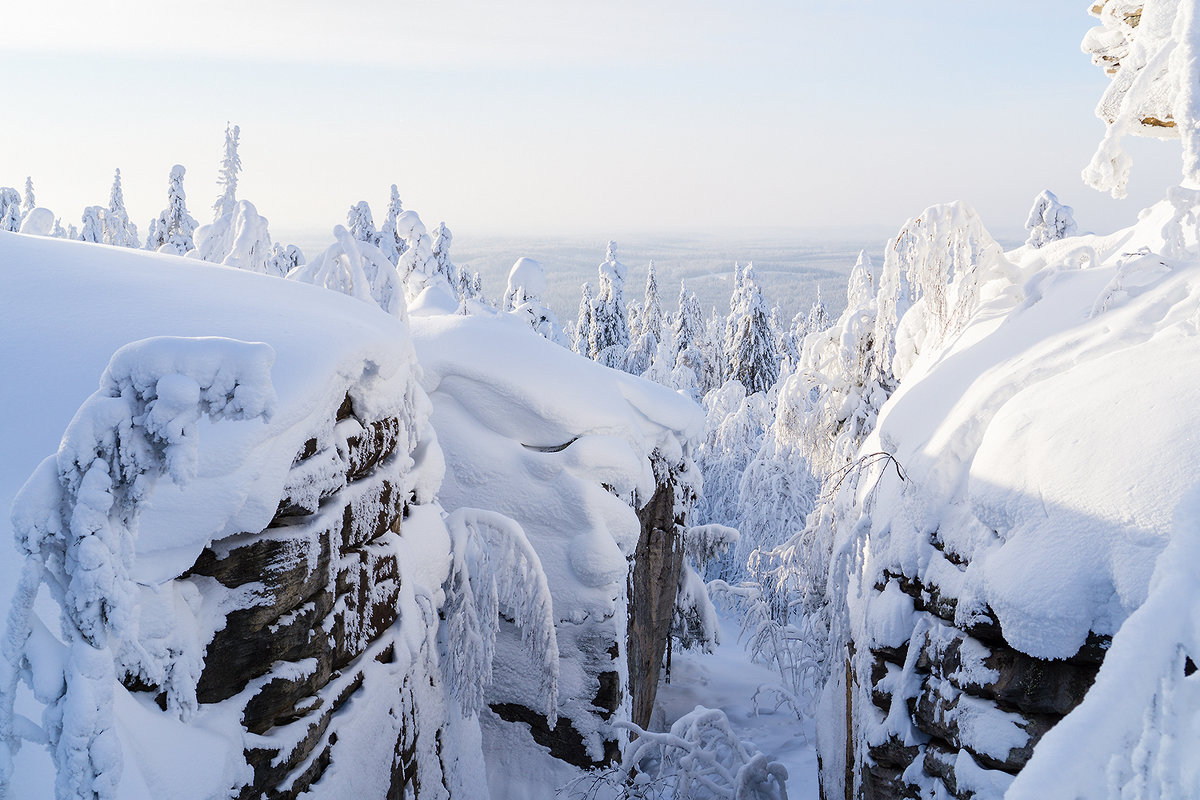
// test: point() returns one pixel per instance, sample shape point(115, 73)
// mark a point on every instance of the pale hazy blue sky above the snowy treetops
point(559, 117)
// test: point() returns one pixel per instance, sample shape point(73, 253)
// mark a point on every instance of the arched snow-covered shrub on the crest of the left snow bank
point(356, 269)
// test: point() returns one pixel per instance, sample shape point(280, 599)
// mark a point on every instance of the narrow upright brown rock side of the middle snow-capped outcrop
point(653, 584)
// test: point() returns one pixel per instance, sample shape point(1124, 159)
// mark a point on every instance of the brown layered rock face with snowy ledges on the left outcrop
point(317, 606)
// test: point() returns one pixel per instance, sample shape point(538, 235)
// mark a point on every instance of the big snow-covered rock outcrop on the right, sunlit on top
point(1046, 452)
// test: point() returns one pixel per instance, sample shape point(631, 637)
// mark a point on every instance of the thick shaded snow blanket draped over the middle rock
point(572, 450)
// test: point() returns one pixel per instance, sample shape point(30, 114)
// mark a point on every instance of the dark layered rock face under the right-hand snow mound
point(975, 706)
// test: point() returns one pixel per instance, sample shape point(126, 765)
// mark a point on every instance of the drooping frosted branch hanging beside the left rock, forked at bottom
point(495, 569)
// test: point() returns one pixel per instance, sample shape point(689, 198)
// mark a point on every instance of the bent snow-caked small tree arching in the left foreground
point(76, 520)
